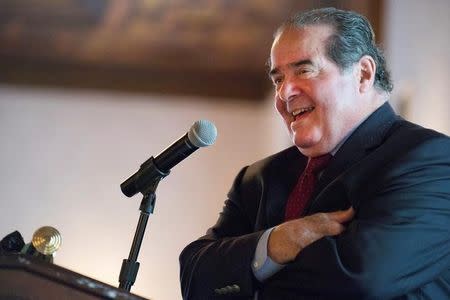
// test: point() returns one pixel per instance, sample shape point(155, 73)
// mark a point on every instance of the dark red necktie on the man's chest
point(302, 192)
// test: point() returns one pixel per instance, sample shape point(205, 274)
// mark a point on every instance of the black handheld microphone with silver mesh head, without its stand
point(201, 134)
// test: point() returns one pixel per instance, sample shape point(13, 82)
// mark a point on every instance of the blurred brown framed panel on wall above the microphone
point(187, 47)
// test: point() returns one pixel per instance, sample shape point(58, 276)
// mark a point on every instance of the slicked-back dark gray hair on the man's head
point(353, 38)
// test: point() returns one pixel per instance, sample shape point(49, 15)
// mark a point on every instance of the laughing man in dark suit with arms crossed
point(375, 223)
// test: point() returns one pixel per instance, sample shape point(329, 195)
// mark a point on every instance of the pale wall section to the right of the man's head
point(417, 50)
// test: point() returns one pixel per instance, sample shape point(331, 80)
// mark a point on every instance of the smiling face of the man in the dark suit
point(318, 101)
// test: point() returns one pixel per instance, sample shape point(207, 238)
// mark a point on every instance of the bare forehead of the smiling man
point(294, 44)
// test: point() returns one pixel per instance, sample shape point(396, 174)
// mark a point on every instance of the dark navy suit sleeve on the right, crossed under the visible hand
point(399, 240)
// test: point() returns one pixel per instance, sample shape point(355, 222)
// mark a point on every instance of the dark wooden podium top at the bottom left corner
point(27, 278)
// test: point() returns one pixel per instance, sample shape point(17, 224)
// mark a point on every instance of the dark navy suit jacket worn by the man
point(397, 177)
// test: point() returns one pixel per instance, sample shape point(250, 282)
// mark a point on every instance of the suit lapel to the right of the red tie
point(363, 140)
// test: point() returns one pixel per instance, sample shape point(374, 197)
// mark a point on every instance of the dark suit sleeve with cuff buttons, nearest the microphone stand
point(222, 258)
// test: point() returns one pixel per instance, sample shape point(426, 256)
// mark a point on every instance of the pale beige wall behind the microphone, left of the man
point(64, 154)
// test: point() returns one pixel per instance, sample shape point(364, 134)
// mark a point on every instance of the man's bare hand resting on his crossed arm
point(289, 238)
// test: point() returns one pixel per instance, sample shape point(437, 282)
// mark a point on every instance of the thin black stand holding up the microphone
point(130, 266)
